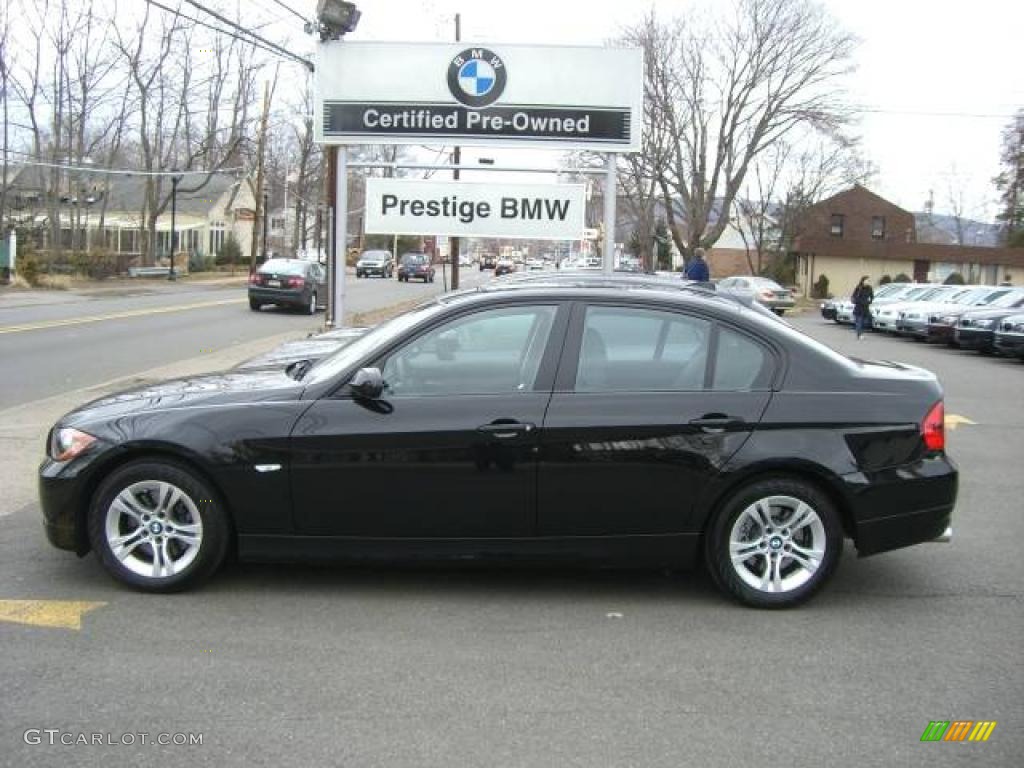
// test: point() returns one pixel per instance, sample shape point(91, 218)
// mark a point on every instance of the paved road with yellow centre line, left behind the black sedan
point(54, 343)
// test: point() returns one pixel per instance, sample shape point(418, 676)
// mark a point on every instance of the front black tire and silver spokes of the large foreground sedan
point(197, 499)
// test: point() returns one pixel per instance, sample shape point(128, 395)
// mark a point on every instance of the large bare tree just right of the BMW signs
point(728, 91)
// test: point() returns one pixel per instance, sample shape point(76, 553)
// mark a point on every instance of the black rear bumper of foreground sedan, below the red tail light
point(903, 506)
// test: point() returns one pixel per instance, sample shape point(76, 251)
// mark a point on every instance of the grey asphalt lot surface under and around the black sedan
point(410, 667)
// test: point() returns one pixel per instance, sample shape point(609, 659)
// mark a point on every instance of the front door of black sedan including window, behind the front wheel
point(450, 451)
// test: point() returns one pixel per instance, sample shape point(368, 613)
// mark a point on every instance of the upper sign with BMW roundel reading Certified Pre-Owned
point(518, 96)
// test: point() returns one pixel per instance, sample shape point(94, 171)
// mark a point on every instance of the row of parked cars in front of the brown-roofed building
point(990, 319)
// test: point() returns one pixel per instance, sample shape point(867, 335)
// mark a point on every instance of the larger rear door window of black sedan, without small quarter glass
point(633, 350)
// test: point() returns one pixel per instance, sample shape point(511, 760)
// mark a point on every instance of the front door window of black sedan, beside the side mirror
point(497, 352)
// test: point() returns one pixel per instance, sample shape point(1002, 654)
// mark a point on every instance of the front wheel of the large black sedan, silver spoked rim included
point(157, 527)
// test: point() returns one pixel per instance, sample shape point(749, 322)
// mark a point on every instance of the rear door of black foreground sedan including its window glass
point(650, 404)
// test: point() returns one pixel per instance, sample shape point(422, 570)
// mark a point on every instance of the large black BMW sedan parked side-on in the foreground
point(623, 424)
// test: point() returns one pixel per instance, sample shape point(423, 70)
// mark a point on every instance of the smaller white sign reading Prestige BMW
point(463, 208)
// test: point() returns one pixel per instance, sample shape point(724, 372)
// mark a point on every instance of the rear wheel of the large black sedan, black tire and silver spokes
point(824, 534)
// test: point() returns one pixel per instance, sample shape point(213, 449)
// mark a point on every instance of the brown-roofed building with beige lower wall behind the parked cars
point(859, 233)
